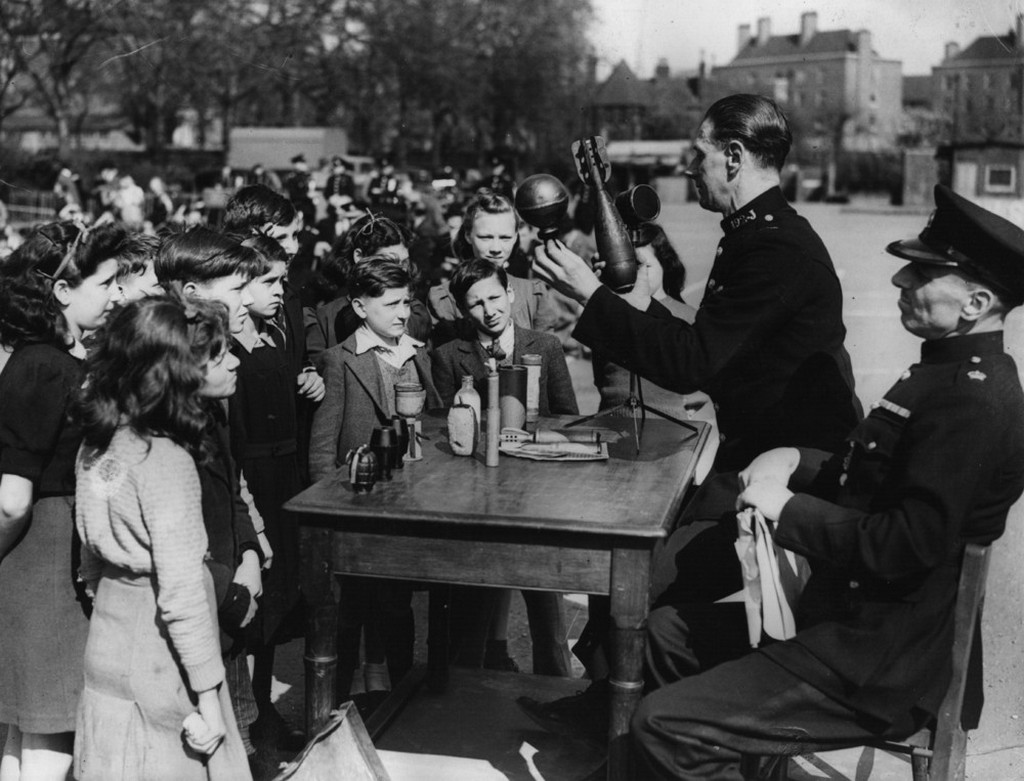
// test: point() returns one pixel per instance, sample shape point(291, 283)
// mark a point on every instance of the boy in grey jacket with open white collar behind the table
point(361, 374)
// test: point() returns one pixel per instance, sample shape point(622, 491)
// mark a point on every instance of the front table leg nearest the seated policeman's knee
point(630, 584)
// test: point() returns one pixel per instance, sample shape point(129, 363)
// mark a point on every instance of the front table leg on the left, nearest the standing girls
point(321, 592)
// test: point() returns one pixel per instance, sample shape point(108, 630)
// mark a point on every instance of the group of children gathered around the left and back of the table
point(162, 399)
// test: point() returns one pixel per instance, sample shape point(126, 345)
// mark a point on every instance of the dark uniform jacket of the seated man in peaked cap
point(935, 465)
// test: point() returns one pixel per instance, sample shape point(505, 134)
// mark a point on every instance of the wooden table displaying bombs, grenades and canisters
point(579, 527)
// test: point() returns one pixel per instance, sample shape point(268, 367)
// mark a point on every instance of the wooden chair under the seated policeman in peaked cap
point(938, 753)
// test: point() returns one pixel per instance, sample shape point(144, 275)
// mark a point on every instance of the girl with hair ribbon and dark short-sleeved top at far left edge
point(55, 290)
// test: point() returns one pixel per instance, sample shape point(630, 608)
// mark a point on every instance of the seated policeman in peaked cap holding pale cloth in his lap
point(883, 522)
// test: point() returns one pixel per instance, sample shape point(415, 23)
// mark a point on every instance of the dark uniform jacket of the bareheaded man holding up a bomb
point(766, 344)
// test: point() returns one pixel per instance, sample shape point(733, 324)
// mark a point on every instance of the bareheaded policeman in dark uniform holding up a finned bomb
point(767, 346)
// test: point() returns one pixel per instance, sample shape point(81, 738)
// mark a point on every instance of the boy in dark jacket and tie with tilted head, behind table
point(487, 300)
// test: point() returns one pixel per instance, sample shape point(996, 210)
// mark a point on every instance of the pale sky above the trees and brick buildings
point(643, 32)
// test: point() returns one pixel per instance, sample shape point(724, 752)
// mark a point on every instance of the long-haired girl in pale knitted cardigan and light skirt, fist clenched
point(154, 706)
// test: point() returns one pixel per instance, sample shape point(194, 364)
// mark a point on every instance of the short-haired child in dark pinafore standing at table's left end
point(265, 430)
